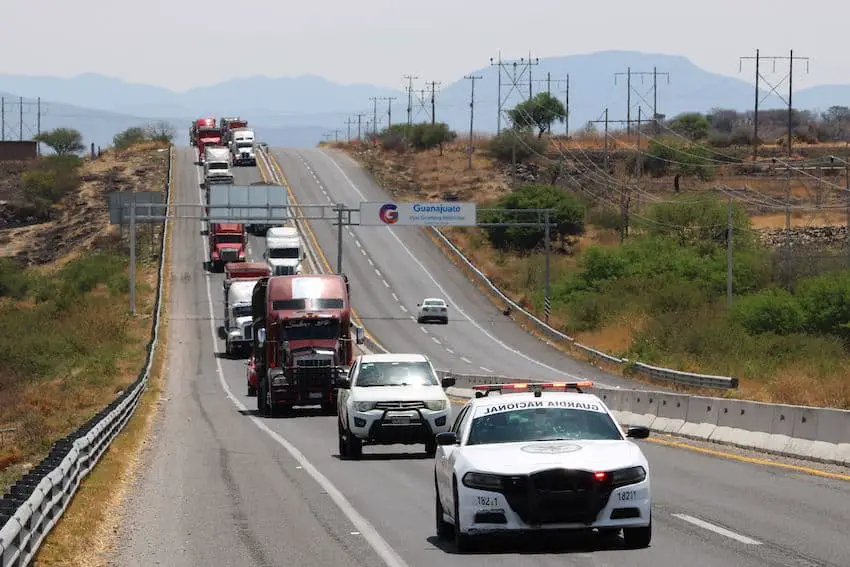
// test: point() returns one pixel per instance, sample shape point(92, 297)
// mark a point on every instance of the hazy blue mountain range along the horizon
point(296, 111)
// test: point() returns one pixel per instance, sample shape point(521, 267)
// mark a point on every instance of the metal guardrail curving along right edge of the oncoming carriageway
point(654, 372)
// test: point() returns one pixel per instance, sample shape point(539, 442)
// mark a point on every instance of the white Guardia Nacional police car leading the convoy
point(540, 457)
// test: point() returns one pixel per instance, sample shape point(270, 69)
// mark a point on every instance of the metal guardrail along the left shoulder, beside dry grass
point(36, 502)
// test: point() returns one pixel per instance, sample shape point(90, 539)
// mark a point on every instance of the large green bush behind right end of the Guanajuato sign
point(568, 216)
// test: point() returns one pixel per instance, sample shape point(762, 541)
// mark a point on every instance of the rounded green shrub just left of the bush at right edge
point(772, 310)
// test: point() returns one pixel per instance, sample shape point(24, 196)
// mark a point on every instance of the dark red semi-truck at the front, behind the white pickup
point(302, 340)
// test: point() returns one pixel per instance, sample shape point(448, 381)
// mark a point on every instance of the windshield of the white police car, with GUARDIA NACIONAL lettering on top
point(538, 420)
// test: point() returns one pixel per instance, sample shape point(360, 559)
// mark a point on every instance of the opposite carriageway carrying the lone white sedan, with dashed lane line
point(393, 269)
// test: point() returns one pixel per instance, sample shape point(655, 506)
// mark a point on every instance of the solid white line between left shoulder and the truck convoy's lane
point(368, 531)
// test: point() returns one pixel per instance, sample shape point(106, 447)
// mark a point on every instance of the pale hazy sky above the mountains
point(184, 43)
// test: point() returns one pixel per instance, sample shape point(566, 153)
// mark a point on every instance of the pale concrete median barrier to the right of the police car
point(817, 434)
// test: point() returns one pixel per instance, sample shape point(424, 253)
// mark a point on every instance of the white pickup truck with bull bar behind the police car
point(391, 399)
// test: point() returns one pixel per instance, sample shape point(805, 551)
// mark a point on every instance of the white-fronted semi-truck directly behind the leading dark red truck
point(238, 287)
